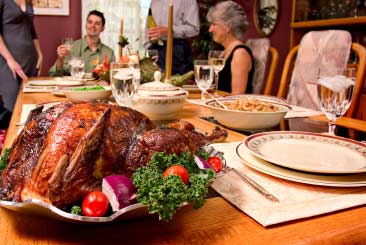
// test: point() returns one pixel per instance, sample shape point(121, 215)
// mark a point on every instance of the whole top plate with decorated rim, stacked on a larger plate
point(310, 152)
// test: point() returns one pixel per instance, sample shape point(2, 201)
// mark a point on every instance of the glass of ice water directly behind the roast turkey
point(123, 82)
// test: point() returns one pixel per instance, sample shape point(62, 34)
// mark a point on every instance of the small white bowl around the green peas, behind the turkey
point(84, 95)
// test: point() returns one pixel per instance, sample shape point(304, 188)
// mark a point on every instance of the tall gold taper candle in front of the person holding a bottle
point(169, 48)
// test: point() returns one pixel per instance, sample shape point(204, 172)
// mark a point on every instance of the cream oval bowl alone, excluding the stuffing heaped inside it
point(247, 120)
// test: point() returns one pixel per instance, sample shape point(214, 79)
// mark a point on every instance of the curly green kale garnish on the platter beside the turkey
point(164, 195)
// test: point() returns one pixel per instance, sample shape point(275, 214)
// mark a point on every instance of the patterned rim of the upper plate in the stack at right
point(250, 138)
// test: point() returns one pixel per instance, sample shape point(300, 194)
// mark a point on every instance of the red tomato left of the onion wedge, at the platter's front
point(95, 204)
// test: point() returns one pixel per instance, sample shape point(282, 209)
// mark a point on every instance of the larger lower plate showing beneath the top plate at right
point(347, 180)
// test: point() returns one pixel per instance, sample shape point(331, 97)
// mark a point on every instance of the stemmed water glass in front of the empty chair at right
point(335, 91)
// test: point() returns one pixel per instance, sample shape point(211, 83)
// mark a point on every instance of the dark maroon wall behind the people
point(51, 30)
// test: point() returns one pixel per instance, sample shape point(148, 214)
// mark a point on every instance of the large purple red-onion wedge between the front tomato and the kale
point(119, 191)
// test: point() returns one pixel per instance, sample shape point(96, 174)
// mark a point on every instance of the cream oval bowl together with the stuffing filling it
point(247, 112)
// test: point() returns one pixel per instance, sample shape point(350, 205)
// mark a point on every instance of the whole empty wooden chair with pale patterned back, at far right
point(292, 60)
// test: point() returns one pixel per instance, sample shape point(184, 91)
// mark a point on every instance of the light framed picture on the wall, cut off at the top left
point(51, 7)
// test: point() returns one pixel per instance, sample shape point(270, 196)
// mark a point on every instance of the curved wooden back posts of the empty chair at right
point(359, 50)
